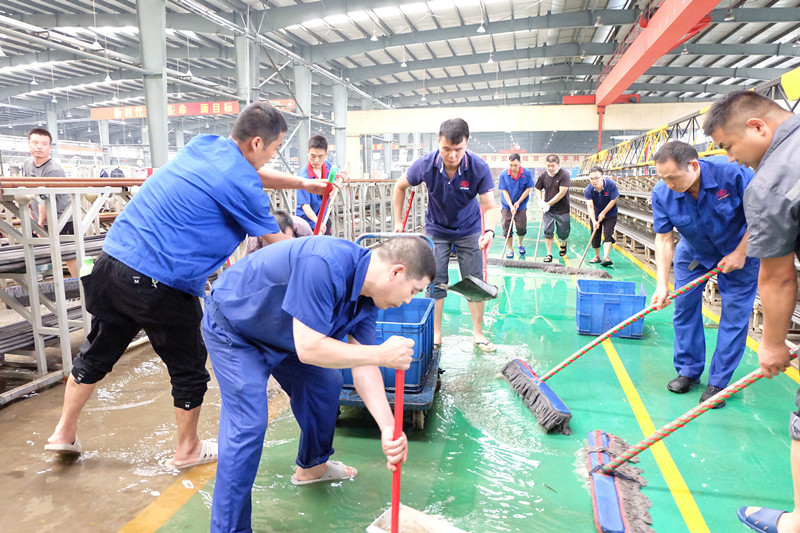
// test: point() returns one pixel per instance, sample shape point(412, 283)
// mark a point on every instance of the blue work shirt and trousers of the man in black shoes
point(711, 227)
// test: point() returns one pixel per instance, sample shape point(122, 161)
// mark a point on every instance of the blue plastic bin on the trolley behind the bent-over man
point(413, 320)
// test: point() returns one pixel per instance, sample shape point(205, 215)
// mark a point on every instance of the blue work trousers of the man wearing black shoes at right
point(737, 290)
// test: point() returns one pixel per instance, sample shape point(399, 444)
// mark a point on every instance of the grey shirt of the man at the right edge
point(772, 200)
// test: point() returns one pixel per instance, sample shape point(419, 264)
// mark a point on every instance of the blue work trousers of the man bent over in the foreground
point(242, 370)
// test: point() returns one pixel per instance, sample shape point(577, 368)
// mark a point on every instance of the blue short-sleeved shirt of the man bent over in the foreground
point(316, 280)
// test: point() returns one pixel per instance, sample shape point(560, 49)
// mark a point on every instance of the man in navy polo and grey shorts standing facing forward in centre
point(454, 177)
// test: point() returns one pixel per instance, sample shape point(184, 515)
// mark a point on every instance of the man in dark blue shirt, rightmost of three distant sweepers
point(601, 202)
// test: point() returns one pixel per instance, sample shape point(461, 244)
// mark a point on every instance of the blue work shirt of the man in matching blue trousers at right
point(712, 226)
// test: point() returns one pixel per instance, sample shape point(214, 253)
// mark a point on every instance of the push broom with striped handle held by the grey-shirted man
point(618, 504)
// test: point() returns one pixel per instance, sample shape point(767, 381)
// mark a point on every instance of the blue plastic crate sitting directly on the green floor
point(604, 304)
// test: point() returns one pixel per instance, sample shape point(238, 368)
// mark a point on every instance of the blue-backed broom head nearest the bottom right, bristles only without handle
point(618, 503)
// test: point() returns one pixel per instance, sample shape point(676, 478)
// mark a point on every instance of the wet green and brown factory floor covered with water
point(481, 462)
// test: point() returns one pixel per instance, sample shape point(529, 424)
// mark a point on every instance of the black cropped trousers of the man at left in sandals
point(124, 301)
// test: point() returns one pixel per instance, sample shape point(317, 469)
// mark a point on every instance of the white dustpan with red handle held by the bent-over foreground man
point(400, 518)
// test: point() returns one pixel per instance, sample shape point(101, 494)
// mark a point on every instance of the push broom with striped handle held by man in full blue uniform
point(550, 411)
